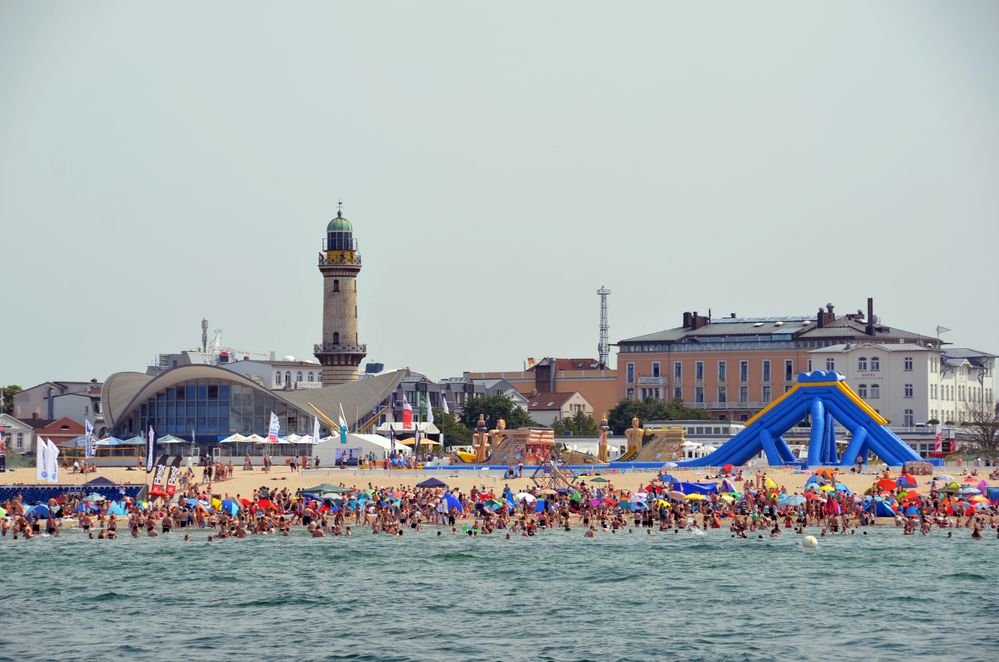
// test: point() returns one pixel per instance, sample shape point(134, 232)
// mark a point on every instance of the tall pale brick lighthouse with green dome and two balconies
point(340, 353)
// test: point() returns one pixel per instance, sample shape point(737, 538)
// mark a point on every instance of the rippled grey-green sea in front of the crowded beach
point(555, 596)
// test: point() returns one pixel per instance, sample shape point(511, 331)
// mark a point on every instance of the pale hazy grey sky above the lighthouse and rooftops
point(165, 162)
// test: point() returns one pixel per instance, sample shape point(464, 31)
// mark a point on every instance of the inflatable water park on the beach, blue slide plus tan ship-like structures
point(821, 397)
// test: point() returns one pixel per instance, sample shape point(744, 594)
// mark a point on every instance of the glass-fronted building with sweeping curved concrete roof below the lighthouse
point(211, 403)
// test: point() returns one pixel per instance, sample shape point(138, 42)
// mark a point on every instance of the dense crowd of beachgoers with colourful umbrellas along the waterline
point(747, 505)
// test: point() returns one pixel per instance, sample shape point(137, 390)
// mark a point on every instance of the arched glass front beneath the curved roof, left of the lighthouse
point(213, 409)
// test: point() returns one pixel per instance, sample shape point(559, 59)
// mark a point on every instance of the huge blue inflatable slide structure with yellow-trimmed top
point(826, 397)
